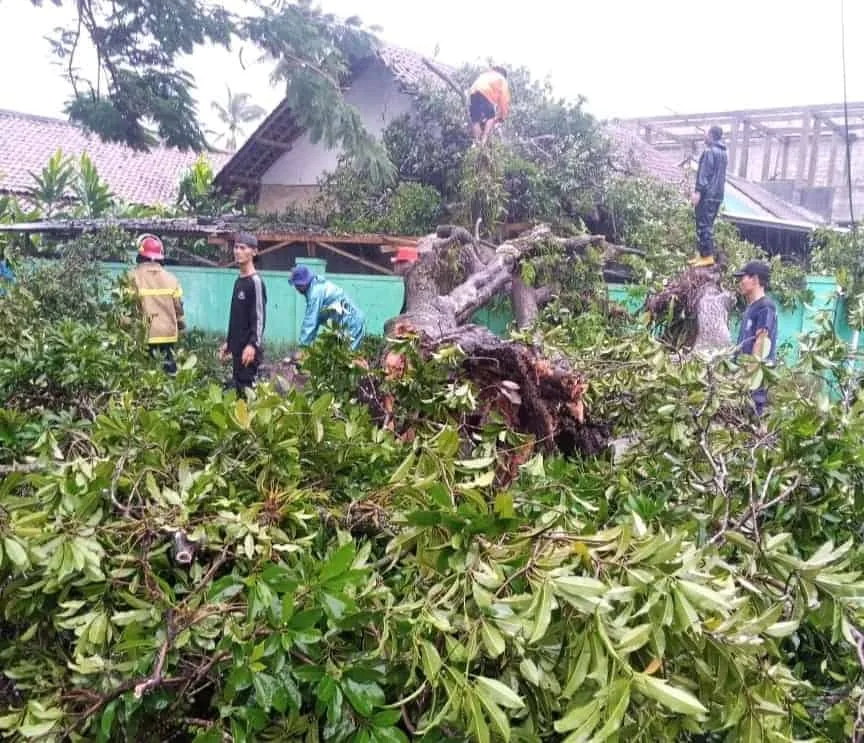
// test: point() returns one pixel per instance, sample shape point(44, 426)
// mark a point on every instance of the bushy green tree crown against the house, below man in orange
point(548, 163)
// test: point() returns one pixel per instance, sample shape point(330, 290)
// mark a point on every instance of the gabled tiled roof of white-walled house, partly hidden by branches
point(278, 132)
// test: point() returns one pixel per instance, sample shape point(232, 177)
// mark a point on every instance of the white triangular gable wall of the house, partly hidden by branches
point(376, 96)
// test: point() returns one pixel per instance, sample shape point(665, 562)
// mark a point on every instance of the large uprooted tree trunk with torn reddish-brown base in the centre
point(454, 276)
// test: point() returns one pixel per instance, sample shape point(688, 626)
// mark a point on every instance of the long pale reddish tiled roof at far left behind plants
point(27, 142)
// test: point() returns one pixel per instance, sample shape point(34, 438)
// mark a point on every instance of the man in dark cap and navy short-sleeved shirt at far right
point(758, 334)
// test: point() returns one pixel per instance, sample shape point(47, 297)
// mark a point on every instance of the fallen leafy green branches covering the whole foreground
point(349, 583)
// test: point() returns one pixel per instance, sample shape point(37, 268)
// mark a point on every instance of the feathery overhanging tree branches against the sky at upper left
point(141, 94)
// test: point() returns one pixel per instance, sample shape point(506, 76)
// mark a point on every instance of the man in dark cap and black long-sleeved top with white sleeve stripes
point(244, 343)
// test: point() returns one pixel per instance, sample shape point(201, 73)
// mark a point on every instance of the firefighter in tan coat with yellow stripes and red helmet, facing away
point(161, 300)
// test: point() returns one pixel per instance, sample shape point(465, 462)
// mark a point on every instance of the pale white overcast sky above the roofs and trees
point(628, 57)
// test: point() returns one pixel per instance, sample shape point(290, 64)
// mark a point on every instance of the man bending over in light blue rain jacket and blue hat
point(326, 301)
